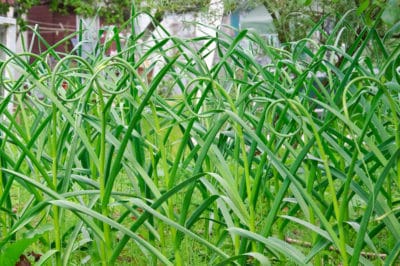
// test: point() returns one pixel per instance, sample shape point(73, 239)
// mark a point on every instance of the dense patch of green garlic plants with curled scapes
point(150, 157)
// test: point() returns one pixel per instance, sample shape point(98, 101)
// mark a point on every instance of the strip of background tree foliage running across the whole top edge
point(292, 19)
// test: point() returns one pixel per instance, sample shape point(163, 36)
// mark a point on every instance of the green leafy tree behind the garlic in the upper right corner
point(294, 19)
